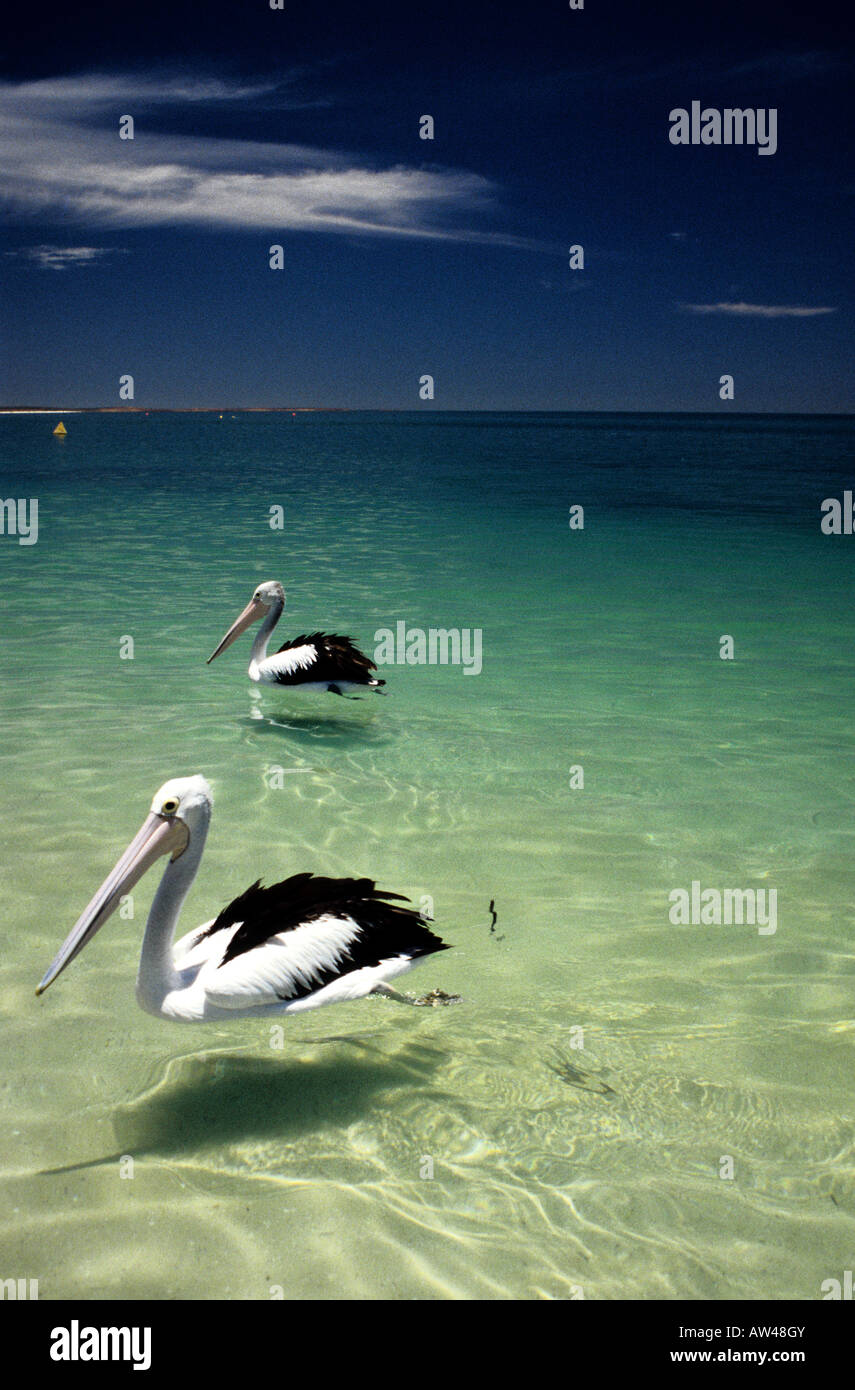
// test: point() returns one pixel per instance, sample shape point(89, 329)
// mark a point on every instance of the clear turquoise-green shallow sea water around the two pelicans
point(555, 1168)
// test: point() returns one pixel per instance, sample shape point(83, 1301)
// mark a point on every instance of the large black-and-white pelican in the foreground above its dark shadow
point(287, 949)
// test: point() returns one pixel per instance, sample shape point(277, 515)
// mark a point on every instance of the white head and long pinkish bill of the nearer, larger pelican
point(181, 811)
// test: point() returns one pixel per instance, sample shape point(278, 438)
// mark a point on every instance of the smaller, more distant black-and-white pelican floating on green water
point(315, 662)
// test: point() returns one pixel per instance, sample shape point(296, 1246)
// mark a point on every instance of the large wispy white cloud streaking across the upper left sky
point(62, 159)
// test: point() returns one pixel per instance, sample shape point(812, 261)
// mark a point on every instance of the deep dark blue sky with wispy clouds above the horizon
point(405, 256)
